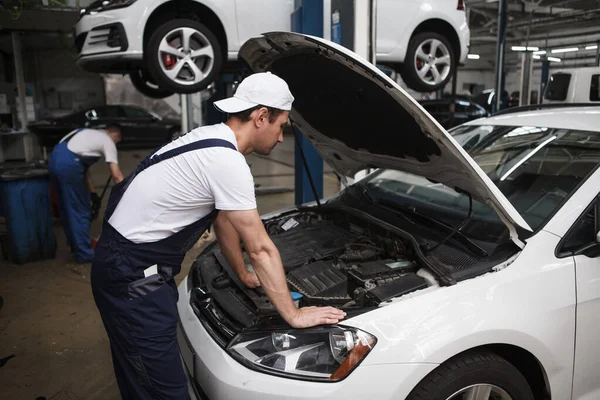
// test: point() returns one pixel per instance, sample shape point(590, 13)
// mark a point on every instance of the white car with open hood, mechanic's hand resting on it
point(466, 272)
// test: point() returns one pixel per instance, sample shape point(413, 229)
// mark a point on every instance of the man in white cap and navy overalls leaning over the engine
point(158, 213)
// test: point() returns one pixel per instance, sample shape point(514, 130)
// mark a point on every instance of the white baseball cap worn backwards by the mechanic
point(262, 88)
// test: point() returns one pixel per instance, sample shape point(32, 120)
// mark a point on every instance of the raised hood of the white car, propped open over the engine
point(357, 118)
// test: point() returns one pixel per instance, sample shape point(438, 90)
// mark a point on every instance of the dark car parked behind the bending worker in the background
point(141, 128)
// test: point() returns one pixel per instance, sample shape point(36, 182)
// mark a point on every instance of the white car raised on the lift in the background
point(177, 46)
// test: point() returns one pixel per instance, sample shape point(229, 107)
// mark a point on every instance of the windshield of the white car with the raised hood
point(536, 168)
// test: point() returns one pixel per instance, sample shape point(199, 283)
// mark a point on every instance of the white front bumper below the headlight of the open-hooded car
point(215, 375)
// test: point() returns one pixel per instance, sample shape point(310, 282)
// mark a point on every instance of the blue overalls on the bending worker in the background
point(68, 176)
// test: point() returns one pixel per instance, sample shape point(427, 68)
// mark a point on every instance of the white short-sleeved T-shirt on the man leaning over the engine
point(170, 195)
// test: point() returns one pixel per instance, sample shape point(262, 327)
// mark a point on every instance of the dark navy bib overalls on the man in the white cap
point(140, 313)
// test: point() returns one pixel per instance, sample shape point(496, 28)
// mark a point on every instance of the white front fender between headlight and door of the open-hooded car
point(529, 304)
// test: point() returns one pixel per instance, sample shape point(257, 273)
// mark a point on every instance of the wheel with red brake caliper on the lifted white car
point(189, 73)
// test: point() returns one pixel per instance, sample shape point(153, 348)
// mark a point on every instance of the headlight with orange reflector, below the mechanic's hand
point(322, 354)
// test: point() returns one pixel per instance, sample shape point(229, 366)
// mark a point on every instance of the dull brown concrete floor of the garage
point(49, 319)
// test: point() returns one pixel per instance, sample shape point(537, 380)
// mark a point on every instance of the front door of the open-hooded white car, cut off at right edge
point(582, 243)
